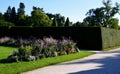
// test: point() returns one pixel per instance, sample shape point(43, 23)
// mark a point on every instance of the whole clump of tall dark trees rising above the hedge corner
point(103, 15)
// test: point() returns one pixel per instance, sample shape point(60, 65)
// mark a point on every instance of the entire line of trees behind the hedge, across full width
point(98, 17)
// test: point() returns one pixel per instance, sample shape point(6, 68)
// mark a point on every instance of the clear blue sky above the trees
point(74, 9)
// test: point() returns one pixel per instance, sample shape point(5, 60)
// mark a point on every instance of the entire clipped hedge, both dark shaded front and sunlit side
point(93, 38)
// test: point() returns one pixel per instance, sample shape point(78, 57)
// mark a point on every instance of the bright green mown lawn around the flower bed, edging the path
point(17, 68)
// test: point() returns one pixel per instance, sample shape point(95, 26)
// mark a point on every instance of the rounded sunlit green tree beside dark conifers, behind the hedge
point(39, 18)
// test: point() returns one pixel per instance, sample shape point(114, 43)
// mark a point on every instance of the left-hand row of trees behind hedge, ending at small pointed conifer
point(38, 18)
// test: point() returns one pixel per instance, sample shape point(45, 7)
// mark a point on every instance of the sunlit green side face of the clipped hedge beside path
point(110, 37)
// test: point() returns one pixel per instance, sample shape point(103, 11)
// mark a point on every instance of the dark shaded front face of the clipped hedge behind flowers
point(86, 37)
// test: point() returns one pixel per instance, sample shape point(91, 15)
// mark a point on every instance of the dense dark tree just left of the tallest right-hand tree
point(95, 17)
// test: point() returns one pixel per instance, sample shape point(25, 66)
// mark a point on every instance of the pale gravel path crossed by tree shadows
point(100, 63)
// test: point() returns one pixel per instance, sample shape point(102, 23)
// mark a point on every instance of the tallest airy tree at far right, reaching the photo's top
point(110, 12)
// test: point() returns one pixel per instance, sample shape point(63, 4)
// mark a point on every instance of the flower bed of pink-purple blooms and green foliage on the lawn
point(36, 49)
